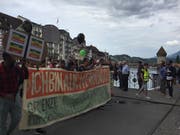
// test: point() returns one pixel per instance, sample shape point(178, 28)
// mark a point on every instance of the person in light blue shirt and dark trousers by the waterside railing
point(125, 75)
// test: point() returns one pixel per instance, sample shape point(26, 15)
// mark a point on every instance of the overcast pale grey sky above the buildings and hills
point(133, 27)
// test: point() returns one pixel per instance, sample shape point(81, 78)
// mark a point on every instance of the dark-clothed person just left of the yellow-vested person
point(139, 72)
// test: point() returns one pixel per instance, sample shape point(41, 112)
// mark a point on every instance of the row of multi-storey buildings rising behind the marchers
point(58, 42)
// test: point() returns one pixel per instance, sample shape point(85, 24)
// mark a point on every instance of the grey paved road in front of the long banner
point(123, 115)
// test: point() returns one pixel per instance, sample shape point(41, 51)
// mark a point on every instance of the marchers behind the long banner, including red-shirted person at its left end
point(12, 75)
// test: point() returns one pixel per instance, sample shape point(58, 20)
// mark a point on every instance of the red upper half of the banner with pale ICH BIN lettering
point(45, 82)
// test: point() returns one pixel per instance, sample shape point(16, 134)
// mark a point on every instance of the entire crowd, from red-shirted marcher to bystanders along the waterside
point(12, 75)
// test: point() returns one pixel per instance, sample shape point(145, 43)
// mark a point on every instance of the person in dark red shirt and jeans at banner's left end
point(9, 104)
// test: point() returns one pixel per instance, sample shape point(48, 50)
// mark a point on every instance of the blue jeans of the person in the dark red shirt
point(13, 109)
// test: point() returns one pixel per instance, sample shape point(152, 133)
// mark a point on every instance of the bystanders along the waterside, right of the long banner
point(167, 73)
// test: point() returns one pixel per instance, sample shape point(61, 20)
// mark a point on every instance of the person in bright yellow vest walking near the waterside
point(145, 77)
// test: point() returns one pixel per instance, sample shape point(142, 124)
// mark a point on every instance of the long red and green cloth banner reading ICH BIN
point(53, 95)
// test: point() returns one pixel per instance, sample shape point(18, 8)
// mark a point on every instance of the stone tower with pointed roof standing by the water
point(161, 55)
